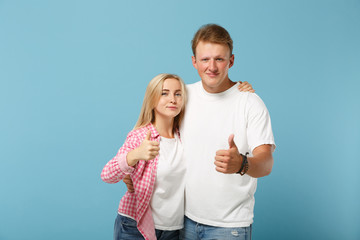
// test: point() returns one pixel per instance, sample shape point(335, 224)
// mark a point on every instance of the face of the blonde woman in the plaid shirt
point(171, 101)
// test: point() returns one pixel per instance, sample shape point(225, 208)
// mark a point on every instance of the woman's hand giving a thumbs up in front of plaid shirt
point(146, 151)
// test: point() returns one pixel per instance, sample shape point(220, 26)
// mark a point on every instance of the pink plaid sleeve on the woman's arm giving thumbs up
point(116, 169)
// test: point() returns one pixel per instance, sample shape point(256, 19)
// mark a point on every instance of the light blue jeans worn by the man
point(197, 231)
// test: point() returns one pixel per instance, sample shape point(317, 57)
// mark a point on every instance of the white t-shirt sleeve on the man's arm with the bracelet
point(259, 130)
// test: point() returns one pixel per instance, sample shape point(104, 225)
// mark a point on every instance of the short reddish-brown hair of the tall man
point(212, 33)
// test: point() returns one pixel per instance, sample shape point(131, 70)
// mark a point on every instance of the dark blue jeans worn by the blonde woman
point(125, 229)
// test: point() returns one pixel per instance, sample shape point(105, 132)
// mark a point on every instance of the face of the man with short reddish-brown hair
point(212, 62)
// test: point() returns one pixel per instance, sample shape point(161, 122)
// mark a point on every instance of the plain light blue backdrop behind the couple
point(73, 75)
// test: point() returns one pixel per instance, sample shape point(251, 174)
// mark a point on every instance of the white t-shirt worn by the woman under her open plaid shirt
point(167, 201)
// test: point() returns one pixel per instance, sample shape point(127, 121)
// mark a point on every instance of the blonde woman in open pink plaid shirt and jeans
point(152, 156)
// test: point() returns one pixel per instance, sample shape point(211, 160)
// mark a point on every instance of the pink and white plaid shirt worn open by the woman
point(143, 176)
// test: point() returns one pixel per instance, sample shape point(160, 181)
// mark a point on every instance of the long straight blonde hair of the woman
point(151, 99)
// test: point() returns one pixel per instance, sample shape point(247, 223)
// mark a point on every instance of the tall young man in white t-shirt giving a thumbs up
point(221, 126)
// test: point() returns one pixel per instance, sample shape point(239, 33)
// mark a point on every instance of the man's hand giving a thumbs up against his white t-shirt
point(229, 160)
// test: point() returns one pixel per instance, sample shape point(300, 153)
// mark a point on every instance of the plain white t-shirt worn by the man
point(213, 198)
